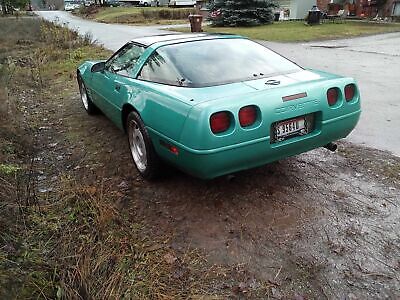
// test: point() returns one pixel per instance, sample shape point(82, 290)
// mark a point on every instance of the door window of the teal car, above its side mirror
point(124, 62)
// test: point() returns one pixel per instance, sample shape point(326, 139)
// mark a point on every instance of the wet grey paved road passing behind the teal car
point(374, 61)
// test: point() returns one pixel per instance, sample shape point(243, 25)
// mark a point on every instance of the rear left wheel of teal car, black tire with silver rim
point(142, 151)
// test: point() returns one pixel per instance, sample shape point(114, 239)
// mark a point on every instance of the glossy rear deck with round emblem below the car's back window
point(195, 96)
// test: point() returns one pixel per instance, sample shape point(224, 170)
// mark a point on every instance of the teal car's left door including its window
point(110, 85)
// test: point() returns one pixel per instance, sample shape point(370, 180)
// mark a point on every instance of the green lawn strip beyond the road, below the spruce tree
point(298, 31)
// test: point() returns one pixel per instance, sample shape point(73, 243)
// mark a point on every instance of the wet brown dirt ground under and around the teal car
point(318, 225)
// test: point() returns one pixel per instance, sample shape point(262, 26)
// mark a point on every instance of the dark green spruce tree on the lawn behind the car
point(241, 12)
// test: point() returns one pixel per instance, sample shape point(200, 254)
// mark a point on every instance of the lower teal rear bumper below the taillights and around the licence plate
point(211, 163)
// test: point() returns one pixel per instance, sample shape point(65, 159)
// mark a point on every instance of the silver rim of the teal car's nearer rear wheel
point(137, 146)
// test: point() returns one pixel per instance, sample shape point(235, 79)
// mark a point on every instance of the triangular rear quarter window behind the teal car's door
point(160, 69)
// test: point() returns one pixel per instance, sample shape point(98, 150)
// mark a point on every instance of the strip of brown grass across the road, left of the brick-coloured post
point(137, 15)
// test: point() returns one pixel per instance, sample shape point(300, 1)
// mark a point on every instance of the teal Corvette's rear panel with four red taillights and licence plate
point(226, 135)
